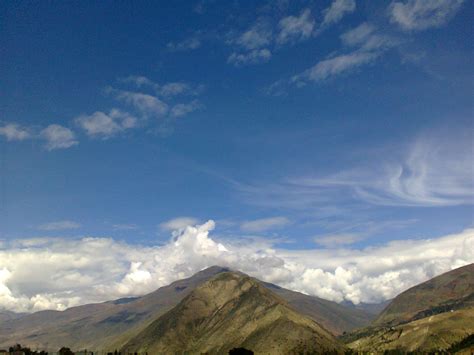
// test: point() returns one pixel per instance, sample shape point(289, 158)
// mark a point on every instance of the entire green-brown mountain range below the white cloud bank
point(218, 309)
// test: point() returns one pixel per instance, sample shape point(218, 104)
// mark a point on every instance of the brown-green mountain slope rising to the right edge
point(429, 317)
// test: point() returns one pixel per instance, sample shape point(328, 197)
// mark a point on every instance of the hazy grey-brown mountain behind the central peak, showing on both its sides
point(110, 324)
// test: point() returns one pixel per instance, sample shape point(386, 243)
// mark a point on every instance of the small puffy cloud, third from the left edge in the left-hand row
point(100, 124)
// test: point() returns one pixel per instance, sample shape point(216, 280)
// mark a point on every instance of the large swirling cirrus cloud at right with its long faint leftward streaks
point(433, 170)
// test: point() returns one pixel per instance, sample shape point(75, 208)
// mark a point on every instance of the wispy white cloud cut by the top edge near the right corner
point(423, 14)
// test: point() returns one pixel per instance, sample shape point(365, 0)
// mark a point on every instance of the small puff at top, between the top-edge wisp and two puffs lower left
point(294, 28)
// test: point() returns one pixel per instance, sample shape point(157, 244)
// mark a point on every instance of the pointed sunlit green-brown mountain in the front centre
point(233, 310)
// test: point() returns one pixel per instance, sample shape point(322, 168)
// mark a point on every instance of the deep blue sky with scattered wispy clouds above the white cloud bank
point(315, 122)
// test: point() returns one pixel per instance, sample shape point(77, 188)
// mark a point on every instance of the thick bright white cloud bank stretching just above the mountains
point(58, 273)
